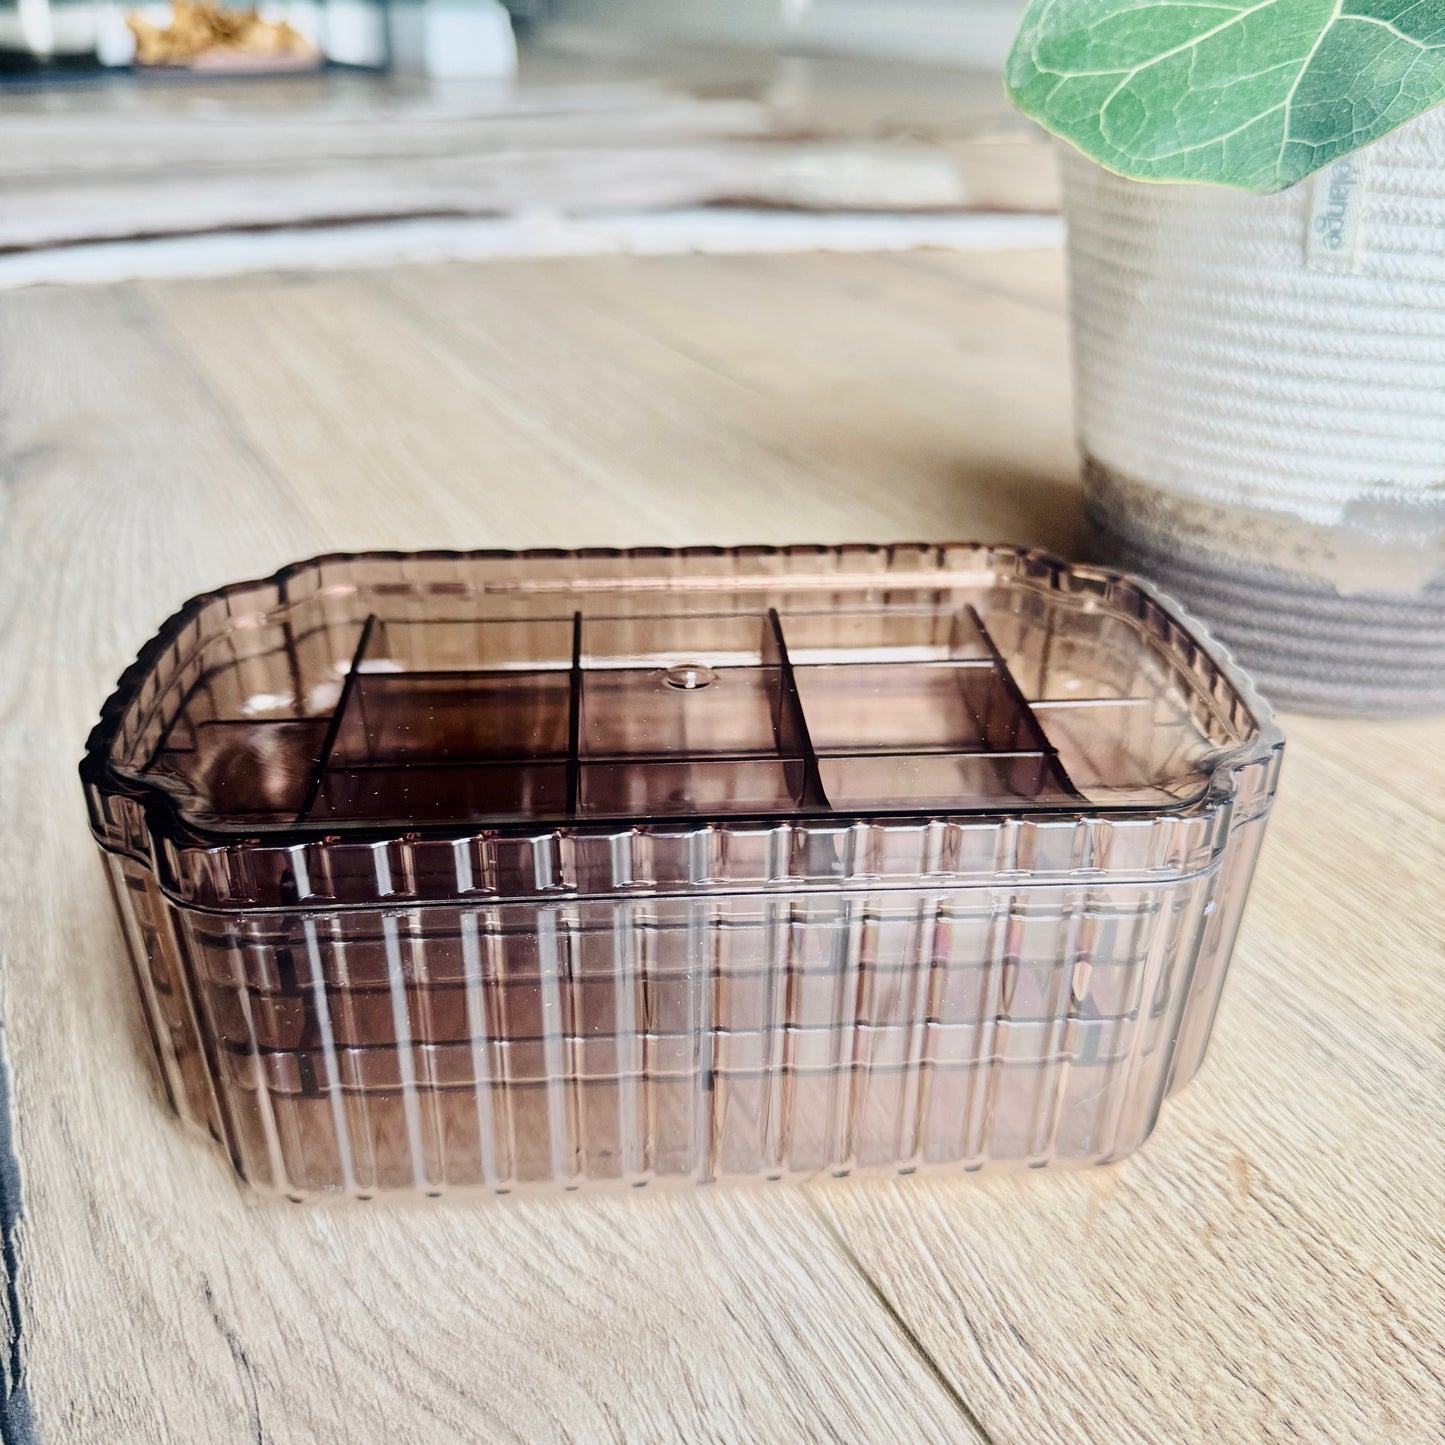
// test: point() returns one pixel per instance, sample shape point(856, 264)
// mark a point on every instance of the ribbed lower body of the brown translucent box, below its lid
point(511, 1047)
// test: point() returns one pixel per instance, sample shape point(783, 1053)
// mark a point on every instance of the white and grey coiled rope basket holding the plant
point(1262, 408)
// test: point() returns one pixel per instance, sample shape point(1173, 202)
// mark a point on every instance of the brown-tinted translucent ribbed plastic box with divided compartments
point(501, 871)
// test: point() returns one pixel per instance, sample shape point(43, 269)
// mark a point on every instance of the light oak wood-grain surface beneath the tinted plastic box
point(1268, 1268)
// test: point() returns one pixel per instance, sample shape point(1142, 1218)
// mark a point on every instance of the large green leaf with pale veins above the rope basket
point(1254, 95)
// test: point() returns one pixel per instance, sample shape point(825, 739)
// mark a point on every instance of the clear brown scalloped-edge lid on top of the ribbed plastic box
point(437, 726)
